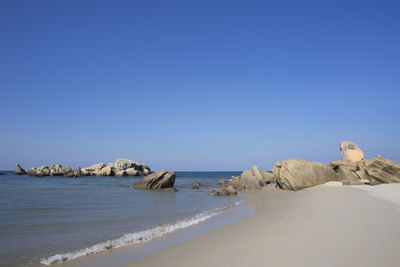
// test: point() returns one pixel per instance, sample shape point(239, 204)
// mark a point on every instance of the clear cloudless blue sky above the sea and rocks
point(197, 85)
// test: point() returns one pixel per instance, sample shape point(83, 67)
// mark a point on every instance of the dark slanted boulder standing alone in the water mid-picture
point(157, 180)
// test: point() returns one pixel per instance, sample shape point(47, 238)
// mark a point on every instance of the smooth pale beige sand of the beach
point(320, 226)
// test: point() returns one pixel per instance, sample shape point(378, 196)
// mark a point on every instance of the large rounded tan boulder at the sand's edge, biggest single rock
point(296, 174)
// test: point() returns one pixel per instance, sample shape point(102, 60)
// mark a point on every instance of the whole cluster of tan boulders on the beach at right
point(297, 174)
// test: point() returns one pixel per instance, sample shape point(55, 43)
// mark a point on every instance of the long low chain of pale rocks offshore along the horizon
point(121, 167)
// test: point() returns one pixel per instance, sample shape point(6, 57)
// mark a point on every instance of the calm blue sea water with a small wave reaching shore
point(51, 219)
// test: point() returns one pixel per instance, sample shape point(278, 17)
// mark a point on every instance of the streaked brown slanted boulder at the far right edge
point(380, 170)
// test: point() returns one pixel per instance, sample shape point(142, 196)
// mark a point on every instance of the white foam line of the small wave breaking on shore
point(138, 237)
